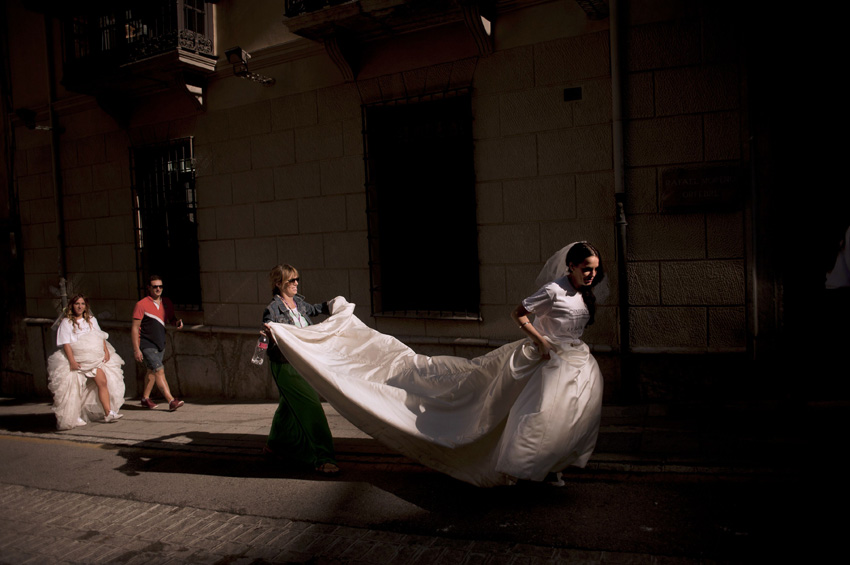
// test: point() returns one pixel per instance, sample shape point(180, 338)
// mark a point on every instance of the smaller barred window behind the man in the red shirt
point(166, 220)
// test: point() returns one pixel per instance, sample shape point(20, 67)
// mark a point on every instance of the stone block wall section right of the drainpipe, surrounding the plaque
point(687, 271)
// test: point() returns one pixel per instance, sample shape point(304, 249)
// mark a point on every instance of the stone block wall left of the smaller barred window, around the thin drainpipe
point(97, 207)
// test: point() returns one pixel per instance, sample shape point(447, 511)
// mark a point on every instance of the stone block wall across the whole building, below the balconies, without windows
point(280, 179)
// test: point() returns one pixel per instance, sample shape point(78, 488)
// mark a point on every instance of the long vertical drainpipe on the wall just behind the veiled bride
point(629, 383)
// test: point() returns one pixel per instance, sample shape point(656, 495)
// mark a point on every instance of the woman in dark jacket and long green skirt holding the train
point(300, 431)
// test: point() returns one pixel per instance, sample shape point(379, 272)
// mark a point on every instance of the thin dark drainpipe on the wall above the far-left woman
point(54, 154)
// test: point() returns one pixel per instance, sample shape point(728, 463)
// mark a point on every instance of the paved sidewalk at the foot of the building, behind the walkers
point(629, 441)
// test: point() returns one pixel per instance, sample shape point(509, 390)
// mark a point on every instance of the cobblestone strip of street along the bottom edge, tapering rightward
point(41, 526)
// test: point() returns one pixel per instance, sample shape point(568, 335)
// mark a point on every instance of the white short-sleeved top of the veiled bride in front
point(559, 309)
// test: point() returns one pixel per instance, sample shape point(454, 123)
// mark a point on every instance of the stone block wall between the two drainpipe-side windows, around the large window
point(282, 180)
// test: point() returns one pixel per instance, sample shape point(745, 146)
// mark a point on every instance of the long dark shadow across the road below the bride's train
point(707, 516)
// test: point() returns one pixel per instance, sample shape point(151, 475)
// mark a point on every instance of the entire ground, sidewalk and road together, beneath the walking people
point(191, 487)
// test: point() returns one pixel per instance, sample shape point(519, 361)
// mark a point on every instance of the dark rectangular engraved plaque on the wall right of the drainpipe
point(702, 189)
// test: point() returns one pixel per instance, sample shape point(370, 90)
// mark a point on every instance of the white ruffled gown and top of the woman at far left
point(74, 392)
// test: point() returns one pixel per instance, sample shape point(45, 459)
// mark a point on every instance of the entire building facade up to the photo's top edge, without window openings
point(281, 173)
